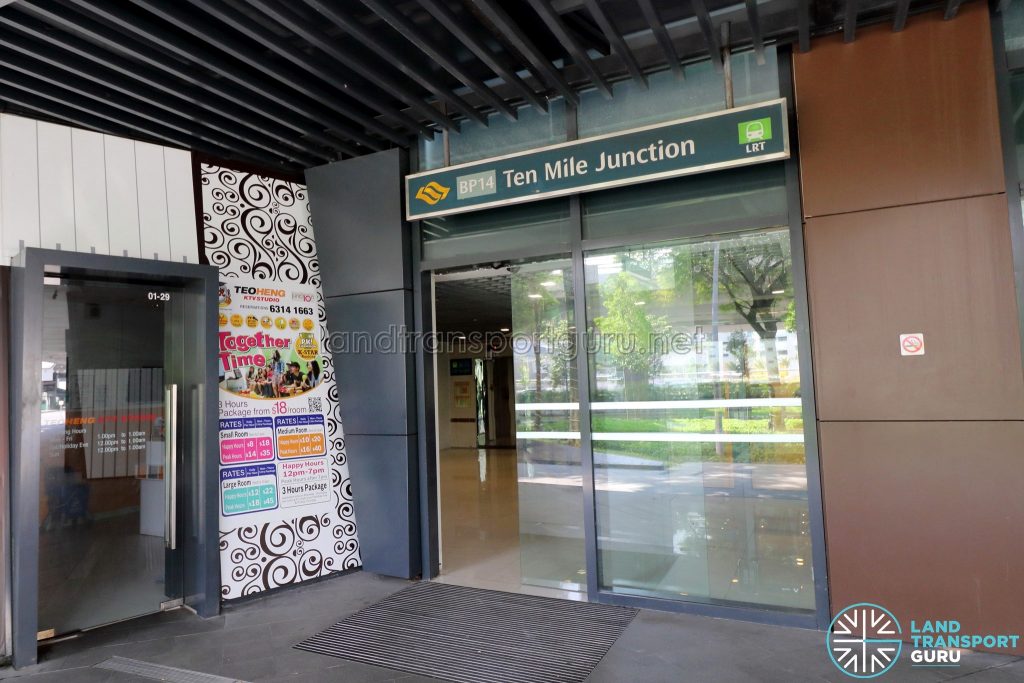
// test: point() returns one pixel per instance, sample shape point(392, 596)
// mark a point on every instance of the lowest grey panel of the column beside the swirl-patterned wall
point(387, 499)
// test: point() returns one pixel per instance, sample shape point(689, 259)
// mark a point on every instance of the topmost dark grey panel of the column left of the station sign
point(361, 236)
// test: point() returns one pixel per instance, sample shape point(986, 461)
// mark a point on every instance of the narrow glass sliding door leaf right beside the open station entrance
point(547, 409)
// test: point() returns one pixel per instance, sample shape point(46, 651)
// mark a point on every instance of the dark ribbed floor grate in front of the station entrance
point(476, 636)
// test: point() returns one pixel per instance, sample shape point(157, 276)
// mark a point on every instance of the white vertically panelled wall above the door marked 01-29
point(82, 191)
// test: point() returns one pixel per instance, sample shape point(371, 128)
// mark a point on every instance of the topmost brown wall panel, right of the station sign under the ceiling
point(900, 118)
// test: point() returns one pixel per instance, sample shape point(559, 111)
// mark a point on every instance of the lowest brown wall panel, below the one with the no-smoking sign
point(925, 519)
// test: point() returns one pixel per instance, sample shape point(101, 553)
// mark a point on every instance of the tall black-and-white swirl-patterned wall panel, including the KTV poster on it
point(287, 510)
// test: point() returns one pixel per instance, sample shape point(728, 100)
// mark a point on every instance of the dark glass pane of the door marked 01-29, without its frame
point(112, 353)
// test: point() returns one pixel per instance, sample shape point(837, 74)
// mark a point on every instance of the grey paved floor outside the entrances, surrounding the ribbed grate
point(253, 643)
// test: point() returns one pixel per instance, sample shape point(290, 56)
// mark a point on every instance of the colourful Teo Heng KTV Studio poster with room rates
point(273, 431)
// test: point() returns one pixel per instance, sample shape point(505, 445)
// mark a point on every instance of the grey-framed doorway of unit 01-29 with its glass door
point(113, 520)
